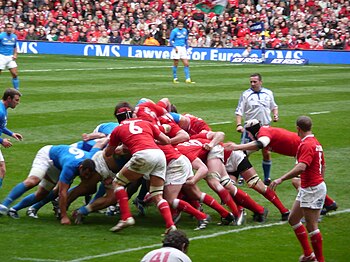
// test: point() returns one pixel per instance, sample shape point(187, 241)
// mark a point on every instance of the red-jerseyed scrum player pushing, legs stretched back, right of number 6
point(216, 176)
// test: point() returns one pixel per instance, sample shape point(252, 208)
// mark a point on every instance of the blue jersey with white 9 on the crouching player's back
point(68, 159)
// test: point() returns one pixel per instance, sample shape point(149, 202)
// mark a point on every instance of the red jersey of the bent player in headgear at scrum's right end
point(282, 141)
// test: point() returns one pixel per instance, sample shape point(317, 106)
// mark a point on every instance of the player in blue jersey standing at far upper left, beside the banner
point(8, 53)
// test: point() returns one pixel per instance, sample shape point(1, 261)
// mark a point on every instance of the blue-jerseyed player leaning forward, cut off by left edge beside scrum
point(10, 99)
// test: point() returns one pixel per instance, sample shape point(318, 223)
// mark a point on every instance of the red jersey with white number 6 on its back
point(136, 134)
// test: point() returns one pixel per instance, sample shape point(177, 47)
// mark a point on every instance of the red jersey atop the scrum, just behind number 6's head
point(150, 111)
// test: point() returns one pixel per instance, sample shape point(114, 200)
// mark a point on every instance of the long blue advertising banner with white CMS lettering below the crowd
point(163, 52)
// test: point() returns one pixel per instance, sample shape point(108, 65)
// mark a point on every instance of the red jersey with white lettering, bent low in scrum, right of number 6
point(193, 148)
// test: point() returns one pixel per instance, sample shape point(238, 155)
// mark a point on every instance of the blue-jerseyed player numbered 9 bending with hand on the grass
point(53, 165)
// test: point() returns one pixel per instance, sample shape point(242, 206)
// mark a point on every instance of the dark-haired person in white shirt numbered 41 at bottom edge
point(175, 245)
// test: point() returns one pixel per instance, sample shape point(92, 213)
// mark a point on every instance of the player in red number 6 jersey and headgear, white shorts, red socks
point(147, 161)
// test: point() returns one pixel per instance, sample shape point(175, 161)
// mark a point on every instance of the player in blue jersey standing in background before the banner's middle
point(178, 39)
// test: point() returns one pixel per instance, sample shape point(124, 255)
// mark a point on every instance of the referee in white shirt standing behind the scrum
point(257, 102)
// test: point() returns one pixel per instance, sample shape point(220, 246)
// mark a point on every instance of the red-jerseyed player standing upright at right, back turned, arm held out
point(310, 199)
